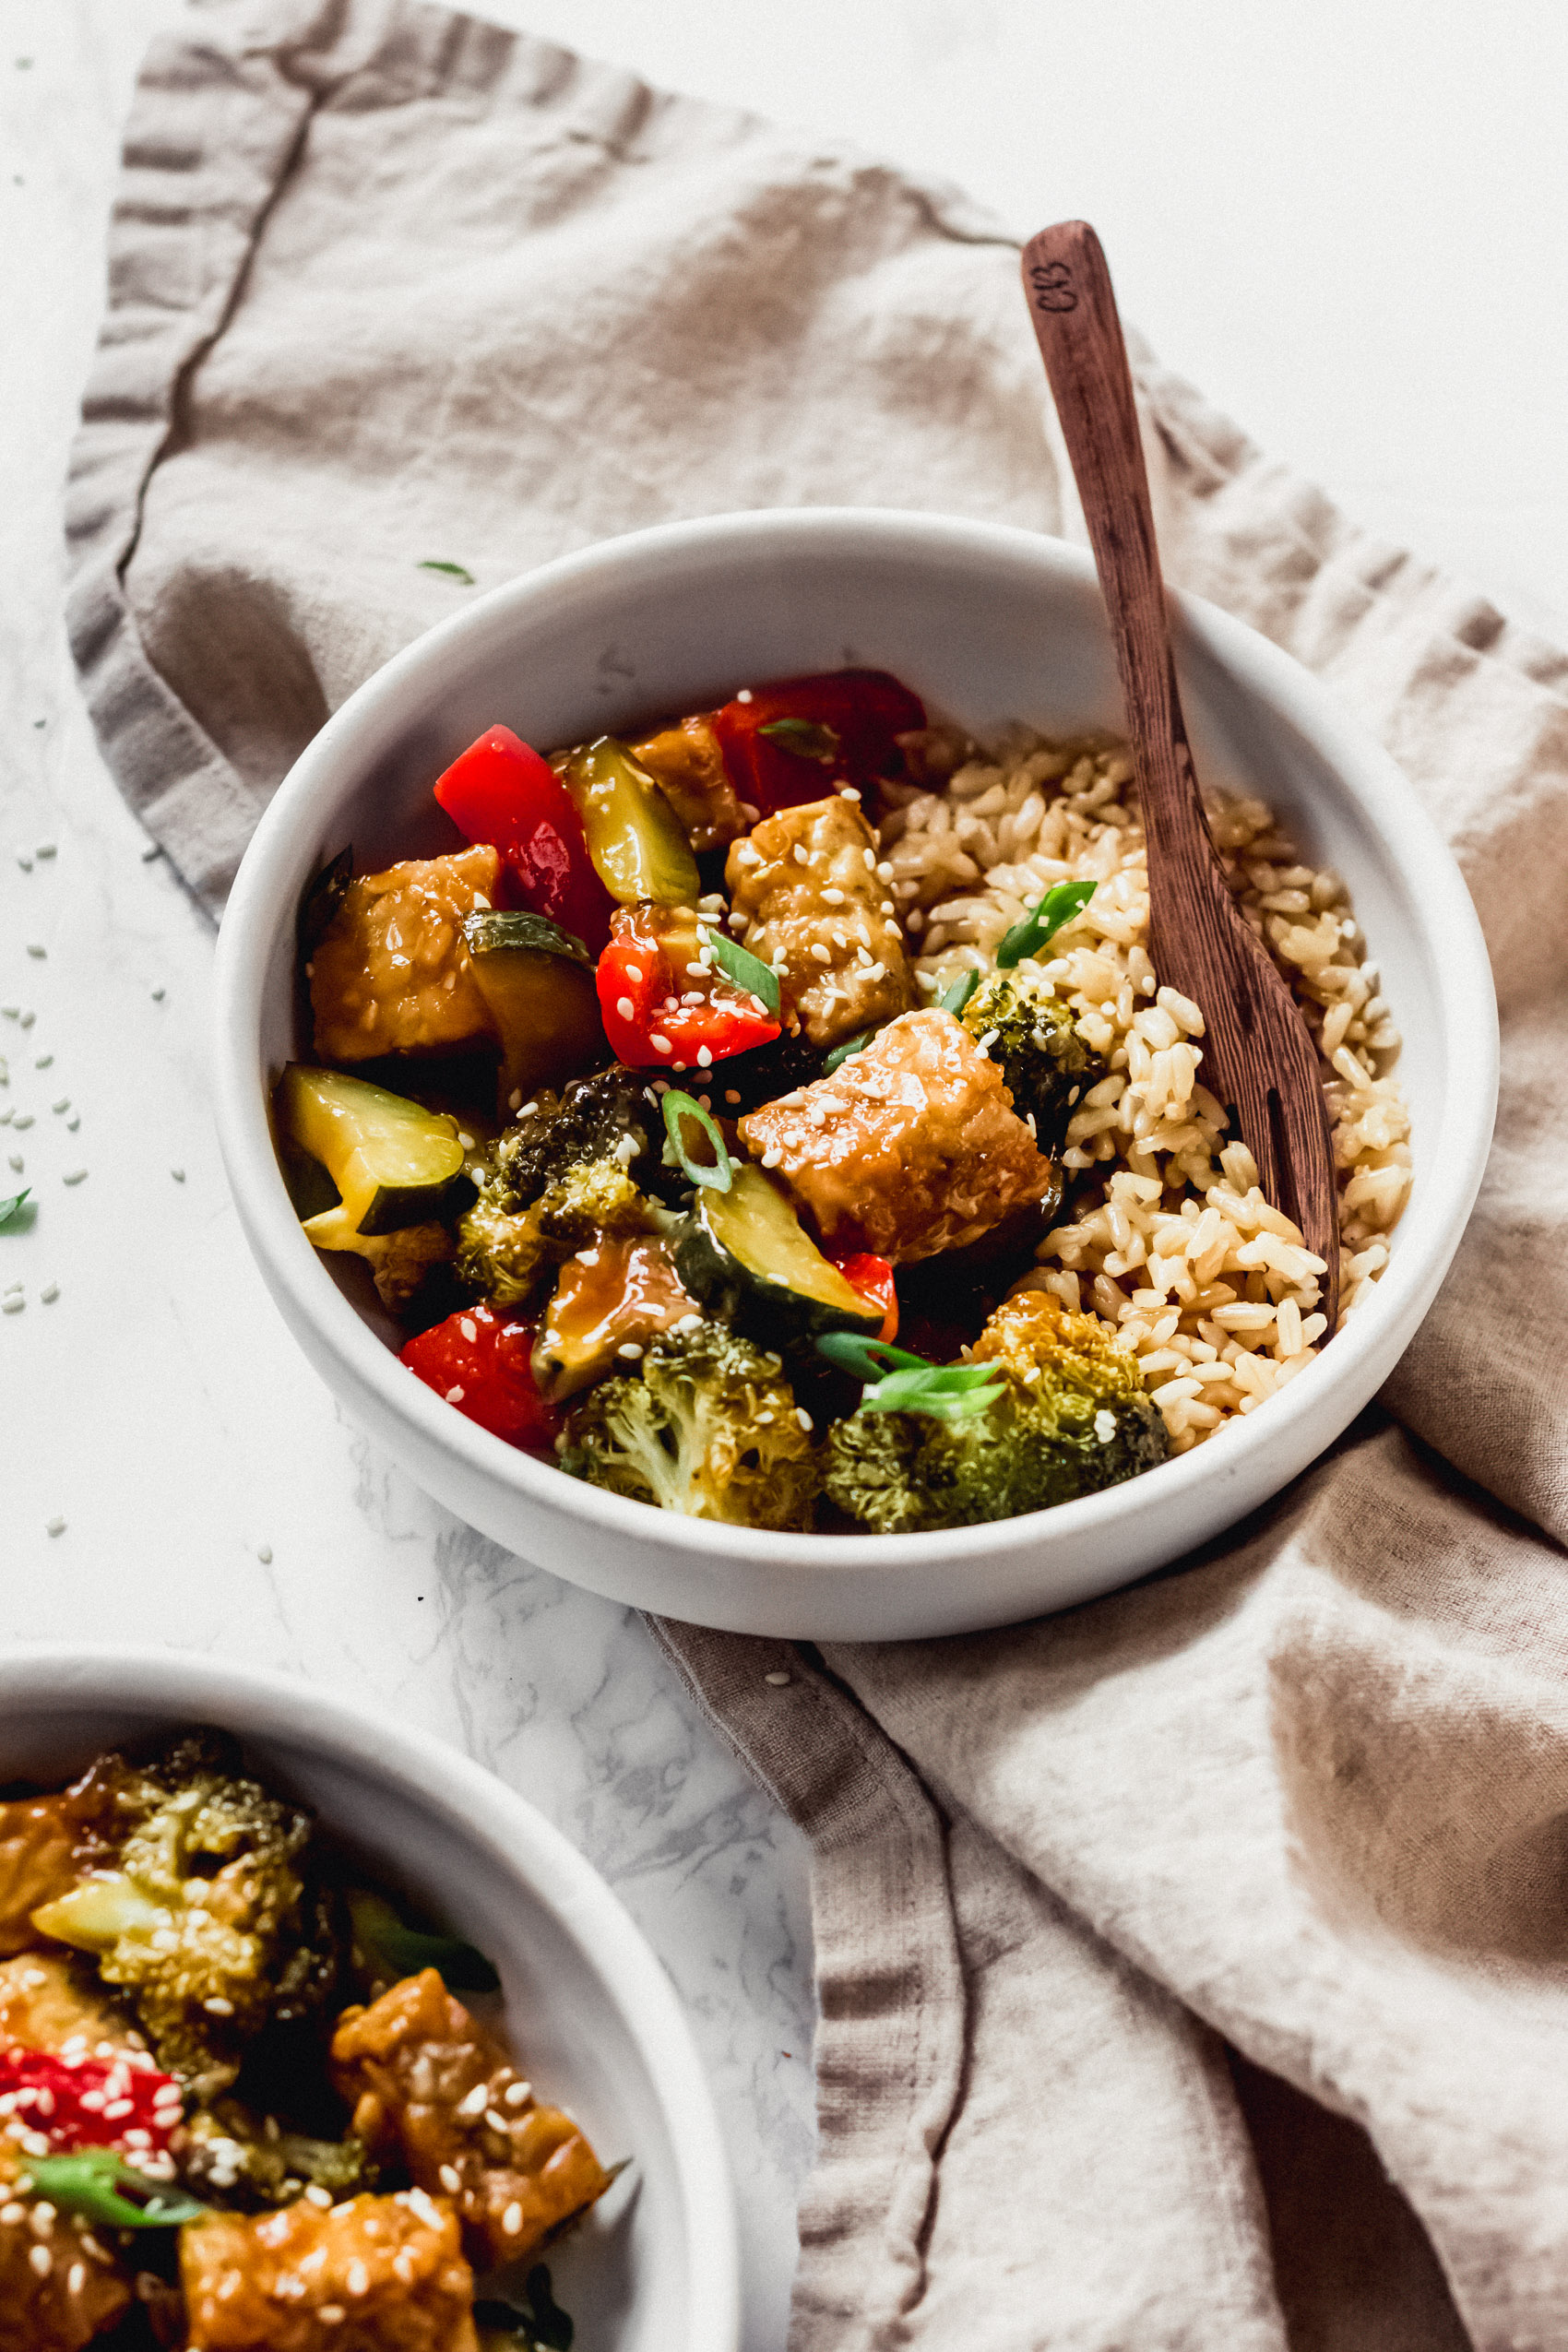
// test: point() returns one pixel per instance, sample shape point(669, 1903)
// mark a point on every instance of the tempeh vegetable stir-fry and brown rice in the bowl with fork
point(779, 1118)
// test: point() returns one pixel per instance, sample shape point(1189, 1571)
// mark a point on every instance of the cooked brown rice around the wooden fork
point(1172, 1238)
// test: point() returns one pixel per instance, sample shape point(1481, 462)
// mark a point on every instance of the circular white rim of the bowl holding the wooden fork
point(1405, 1290)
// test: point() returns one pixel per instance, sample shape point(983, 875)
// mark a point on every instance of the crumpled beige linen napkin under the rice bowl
point(1193, 1967)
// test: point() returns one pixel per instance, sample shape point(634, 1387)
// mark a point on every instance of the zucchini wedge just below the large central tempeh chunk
point(746, 1257)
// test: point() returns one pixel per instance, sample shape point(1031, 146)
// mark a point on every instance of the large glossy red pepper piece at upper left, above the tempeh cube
point(500, 791)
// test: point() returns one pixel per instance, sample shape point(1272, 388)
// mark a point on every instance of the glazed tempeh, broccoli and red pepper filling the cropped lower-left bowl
point(246, 2099)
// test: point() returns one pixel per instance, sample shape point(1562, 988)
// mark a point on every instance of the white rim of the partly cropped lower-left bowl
point(467, 1798)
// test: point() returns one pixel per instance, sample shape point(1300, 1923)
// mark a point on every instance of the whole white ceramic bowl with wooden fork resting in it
point(989, 624)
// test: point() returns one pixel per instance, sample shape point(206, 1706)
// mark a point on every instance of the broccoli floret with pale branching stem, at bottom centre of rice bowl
point(706, 1426)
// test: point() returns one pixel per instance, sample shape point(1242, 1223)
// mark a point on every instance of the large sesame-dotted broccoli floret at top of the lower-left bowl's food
point(206, 1911)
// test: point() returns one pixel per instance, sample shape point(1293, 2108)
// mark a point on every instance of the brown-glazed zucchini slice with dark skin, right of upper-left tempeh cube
point(540, 989)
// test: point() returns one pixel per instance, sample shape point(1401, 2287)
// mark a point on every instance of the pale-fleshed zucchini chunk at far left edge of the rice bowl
point(391, 1161)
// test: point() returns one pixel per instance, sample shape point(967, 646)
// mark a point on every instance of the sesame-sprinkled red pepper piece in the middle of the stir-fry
point(648, 975)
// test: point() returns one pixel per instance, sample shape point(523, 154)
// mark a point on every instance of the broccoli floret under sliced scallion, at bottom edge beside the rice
point(1073, 1417)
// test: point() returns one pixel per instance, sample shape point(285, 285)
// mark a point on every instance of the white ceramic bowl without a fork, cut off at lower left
point(587, 2003)
